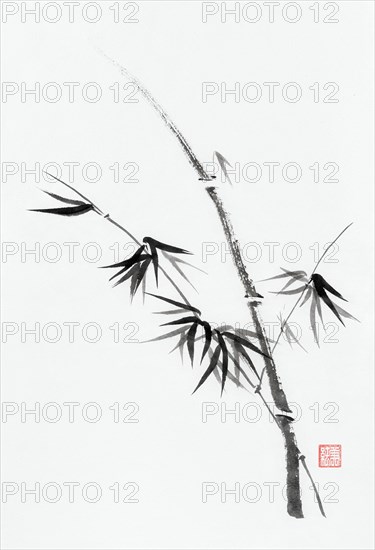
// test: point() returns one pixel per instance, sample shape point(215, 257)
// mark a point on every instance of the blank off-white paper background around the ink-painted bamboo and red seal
point(118, 452)
